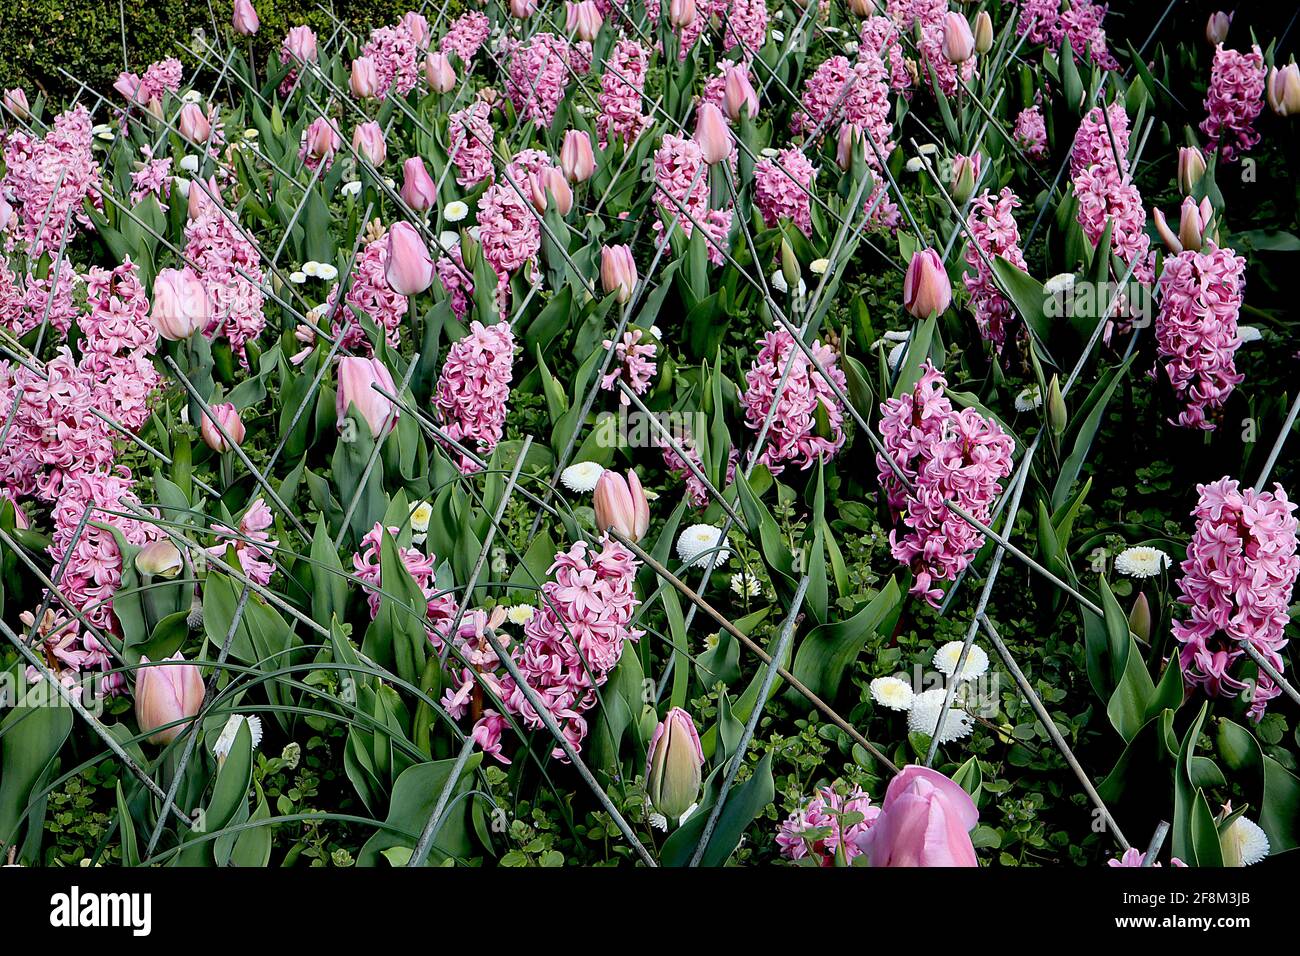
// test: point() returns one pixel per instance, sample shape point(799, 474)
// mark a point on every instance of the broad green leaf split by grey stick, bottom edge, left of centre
point(415, 797)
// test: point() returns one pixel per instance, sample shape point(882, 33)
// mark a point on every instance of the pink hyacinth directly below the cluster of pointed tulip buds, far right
point(1197, 330)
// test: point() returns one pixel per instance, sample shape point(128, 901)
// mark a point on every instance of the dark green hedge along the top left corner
point(85, 37)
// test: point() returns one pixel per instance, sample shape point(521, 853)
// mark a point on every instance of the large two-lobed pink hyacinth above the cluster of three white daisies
point(948, 456)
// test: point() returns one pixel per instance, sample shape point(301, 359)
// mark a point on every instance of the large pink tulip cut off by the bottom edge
point(925, 821)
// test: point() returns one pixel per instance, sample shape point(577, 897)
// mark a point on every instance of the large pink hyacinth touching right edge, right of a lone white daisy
point(1238, 577)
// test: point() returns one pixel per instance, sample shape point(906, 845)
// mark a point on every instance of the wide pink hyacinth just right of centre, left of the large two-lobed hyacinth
point(792, 434)
